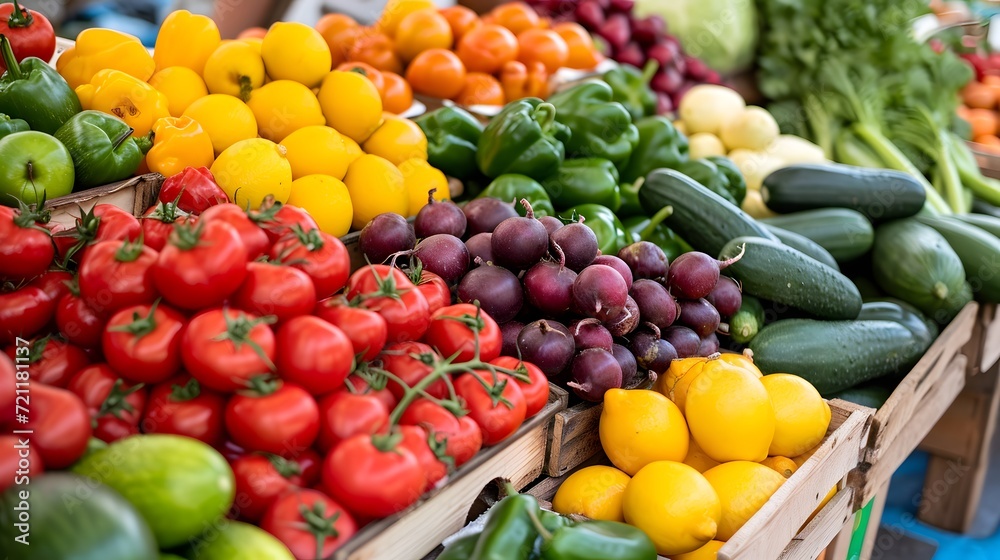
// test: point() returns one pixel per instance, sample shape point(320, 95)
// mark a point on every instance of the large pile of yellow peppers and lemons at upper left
point(267, 115)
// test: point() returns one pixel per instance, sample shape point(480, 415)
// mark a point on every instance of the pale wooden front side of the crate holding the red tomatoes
point(411, 534)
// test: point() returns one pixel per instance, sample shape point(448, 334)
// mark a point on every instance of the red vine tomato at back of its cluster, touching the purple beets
point(451, 332)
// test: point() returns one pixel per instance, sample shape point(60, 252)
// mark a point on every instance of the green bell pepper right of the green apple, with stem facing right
point(102, 147)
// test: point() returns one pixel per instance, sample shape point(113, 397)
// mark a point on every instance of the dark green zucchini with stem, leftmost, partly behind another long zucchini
point(701, 217)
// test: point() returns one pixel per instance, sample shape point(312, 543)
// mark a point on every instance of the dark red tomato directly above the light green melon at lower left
point(180, 406)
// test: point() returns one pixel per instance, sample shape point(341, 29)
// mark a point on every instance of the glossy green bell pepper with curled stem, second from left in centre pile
point(523, 138)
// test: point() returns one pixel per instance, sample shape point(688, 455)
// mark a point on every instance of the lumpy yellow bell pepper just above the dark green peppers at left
point(126, 97)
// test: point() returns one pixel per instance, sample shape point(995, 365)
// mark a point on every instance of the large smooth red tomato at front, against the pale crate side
point(372, 478)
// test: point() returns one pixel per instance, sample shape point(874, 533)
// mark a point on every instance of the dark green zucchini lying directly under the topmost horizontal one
point(845, 233)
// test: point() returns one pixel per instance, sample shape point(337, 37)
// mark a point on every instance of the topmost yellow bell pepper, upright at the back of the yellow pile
point(186, 39)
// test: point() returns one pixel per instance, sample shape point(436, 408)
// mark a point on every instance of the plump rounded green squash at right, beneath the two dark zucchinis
point(914, 263)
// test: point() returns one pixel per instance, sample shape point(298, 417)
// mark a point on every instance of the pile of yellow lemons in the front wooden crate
point(696, 457)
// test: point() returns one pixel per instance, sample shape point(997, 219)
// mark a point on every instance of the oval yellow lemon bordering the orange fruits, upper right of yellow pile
point(350, 104)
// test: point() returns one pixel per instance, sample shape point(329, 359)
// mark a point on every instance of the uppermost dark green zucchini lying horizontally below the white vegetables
point(879, 194)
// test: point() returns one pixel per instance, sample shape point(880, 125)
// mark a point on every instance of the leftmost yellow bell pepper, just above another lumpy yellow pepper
point(101, 49)
